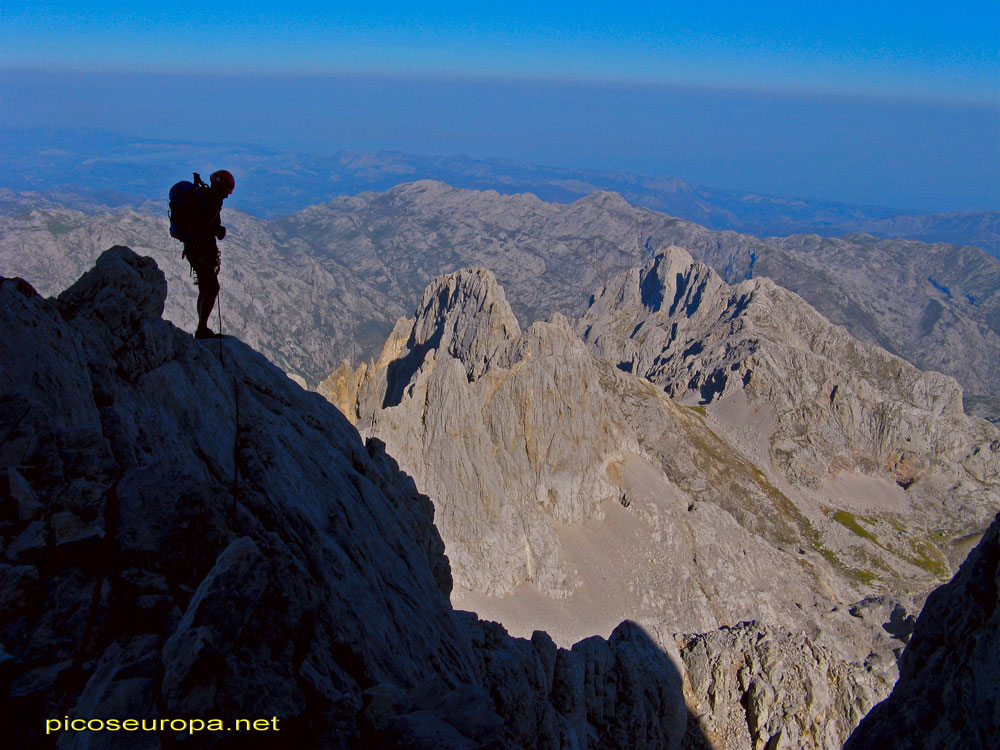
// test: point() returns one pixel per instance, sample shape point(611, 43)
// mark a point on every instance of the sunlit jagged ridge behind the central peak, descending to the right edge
point(831, 402)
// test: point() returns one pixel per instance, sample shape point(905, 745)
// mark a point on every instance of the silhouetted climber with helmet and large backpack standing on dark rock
point(195, 220)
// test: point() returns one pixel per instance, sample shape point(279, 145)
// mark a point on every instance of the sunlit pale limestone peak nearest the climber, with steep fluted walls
point(456, 405)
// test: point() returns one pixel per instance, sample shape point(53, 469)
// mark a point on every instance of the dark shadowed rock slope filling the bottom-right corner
point(948, 694)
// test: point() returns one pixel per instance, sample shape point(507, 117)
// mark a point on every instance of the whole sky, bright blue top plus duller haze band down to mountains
point(880, 102)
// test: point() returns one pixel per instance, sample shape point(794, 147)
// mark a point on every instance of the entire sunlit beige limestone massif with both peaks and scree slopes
point(569, 489)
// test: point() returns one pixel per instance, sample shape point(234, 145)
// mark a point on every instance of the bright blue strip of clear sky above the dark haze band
point(942, 50)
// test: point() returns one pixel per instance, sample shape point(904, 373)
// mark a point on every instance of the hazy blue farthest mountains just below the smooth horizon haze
point(91, 170)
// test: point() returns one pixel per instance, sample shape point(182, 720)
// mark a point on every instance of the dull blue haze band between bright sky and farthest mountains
point(910, 155)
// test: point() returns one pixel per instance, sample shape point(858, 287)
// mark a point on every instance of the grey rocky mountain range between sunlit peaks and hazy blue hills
point(329, 282)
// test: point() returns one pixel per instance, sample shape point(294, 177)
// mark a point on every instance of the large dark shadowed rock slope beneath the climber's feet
point(189, 536)
